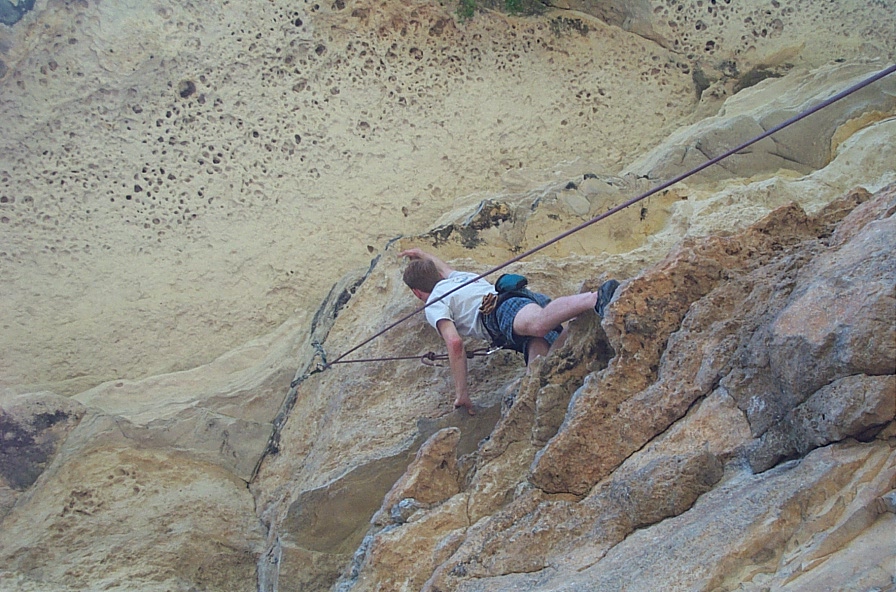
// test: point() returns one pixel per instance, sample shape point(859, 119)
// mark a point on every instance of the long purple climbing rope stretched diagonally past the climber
point(800, 116)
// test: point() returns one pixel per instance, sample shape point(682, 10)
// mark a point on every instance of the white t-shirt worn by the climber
point(461, 307)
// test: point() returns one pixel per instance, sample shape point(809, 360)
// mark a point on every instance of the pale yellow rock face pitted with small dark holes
point(181, 167)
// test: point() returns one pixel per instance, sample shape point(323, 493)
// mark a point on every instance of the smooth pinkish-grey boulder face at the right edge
point(832, 322)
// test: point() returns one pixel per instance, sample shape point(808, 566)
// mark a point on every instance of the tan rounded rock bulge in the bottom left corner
point(108, 511)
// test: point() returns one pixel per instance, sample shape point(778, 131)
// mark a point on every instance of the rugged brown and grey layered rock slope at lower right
point(666, 456)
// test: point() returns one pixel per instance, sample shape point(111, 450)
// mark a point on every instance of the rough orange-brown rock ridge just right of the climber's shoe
point(621, 408)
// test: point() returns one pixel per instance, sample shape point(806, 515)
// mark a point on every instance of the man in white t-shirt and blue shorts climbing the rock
point(524, 321)
